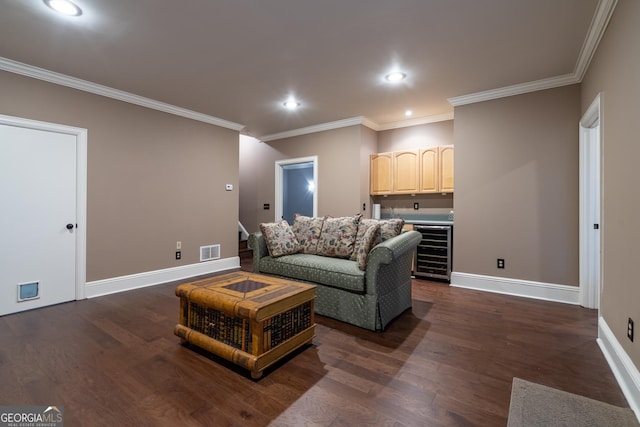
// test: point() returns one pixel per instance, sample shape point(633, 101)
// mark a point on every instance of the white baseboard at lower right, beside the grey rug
point(621, 365)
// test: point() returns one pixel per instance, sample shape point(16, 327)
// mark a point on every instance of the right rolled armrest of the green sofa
point(389, 263)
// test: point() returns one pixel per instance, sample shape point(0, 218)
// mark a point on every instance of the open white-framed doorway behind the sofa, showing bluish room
point(296, 188)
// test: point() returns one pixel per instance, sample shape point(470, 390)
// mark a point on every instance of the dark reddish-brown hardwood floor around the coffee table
point(449, 361)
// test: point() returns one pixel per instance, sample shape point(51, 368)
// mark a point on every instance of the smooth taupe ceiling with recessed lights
point(234, 62)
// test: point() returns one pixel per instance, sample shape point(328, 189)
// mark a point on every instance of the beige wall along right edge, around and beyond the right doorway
point(614, 73)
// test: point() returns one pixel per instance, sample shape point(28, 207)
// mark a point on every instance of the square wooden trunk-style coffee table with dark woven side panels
point(249, 319)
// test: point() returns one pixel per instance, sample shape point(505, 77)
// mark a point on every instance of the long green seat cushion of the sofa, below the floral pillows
point(335, 272)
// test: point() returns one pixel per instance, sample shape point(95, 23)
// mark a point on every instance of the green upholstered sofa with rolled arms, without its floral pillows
point(369, 299)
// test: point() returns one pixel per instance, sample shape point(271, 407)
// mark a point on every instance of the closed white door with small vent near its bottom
point(38, 191)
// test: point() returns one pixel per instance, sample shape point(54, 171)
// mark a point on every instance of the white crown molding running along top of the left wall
point(86, 86)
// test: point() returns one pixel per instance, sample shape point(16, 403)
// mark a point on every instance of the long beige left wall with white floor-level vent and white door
point(153, 178)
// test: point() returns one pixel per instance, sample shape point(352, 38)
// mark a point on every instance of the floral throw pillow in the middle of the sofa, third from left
point(338, 236)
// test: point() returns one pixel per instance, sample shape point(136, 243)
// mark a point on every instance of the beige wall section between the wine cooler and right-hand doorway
point(516, 194)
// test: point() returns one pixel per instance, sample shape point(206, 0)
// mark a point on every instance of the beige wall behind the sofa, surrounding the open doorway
point(339, 172)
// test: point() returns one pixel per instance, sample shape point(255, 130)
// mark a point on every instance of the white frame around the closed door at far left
point(81, 189)
